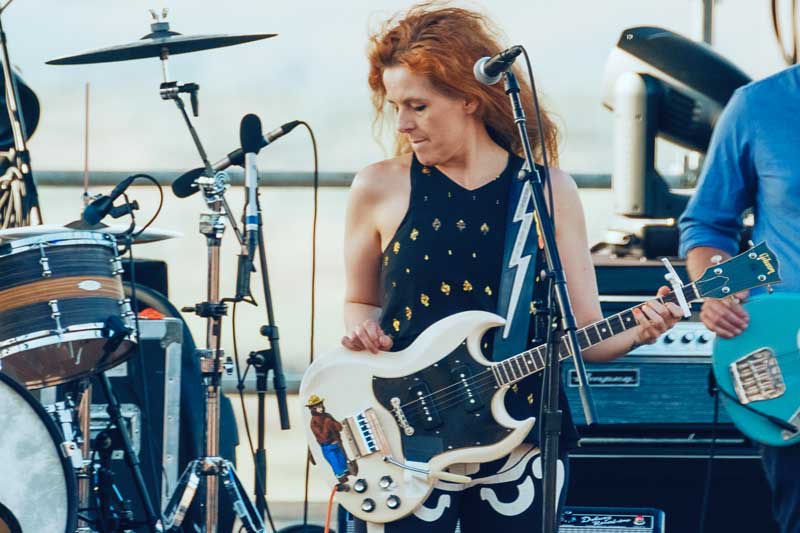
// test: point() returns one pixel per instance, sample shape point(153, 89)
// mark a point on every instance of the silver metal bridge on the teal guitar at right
point(757, 376)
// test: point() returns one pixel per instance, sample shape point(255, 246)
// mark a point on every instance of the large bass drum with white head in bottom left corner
point(37, 488)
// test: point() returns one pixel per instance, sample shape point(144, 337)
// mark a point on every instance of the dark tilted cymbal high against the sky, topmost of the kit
point(160, 43)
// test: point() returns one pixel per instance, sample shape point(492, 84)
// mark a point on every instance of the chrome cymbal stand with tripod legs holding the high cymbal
point(209, 468)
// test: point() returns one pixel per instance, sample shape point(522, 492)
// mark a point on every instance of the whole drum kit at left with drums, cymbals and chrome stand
point(65, 318)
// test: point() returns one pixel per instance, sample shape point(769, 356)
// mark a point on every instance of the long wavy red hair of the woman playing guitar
point(443, 44)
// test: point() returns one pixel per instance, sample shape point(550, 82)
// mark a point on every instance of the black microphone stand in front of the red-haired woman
point(559, 318)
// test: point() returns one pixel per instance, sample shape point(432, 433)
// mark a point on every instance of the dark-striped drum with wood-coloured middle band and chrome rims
point(56, 293)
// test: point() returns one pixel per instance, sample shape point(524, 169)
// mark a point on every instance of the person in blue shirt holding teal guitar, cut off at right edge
point(753, 162)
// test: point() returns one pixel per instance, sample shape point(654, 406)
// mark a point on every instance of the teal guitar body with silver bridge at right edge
point(762, 367)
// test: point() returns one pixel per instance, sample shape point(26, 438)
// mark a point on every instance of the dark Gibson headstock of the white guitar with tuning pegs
point(756, 267)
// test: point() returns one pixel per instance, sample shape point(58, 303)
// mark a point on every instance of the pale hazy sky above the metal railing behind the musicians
point(315, 70)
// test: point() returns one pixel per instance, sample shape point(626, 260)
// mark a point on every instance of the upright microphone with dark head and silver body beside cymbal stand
point(250, 138)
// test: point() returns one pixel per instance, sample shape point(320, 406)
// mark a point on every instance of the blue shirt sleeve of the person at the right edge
point(727, 185)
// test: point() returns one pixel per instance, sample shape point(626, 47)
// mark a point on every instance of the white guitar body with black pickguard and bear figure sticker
point(364, 408)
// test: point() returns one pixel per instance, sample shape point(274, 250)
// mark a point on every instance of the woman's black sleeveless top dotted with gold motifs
point(446, 257)
